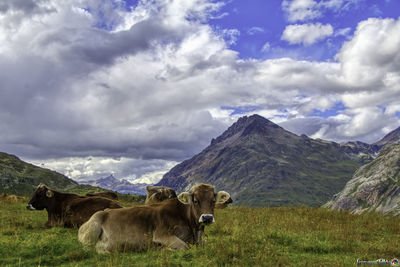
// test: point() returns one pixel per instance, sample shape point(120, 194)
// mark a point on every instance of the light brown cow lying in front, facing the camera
point(173, 223)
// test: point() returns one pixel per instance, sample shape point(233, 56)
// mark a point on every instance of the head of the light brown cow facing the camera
point(202, 200)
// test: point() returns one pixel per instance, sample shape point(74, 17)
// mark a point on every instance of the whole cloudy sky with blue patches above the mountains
point(93, 87)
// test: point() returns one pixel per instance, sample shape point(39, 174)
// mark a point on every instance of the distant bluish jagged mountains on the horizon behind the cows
point(120, 186)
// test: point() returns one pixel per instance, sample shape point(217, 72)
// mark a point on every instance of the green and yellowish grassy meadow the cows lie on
point(240, 237)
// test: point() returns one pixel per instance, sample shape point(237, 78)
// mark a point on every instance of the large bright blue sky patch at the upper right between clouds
point(261, 25)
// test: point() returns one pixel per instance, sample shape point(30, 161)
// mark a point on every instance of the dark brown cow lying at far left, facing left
point(68, 210)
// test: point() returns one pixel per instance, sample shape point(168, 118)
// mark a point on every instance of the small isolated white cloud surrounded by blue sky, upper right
point(306, 34)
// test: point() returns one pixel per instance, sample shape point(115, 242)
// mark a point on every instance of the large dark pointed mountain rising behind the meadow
point(260, 163)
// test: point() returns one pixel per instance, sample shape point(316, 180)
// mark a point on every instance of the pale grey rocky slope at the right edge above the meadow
point(374, 187)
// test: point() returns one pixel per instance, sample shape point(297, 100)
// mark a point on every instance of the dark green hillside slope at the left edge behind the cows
point(21, 178)
